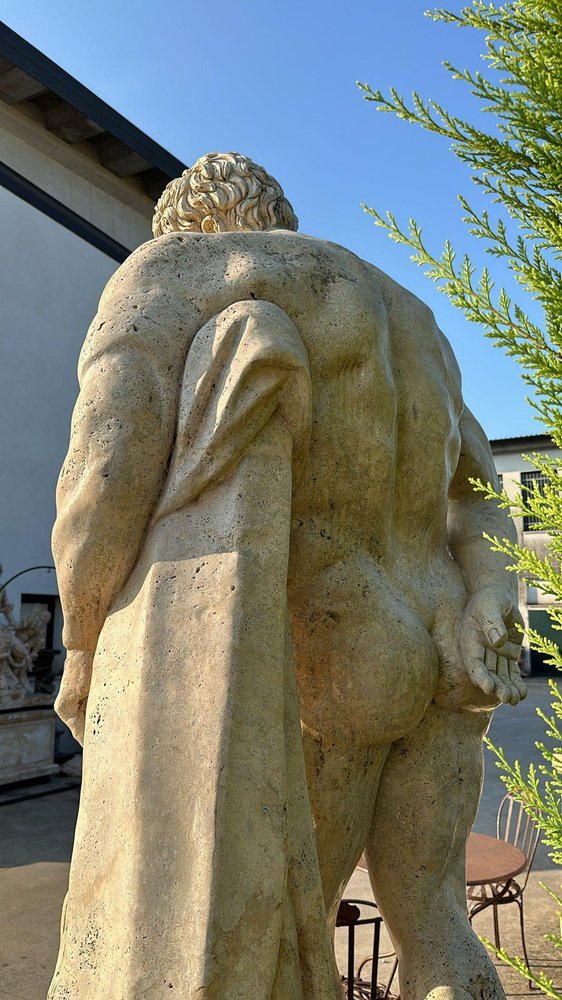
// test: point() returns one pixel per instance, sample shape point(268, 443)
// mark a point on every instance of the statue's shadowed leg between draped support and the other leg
point(342, 783)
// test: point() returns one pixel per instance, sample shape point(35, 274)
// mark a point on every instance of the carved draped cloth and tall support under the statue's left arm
point(194, 872)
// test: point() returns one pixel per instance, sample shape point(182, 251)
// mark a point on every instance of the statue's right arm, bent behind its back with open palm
point(491, 627)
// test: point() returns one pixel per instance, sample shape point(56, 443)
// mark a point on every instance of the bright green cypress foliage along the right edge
point(517, 163)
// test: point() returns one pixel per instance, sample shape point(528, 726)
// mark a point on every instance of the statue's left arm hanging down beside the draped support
point(120, 441)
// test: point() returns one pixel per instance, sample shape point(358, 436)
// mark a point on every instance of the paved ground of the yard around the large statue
point(36, 839)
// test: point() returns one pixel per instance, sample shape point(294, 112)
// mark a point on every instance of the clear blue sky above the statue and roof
point(276, 80)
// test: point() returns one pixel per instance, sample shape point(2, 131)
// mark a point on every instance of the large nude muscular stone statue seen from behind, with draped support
point(285, 631)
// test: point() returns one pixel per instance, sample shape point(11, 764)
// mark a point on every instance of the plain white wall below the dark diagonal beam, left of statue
point(50, 283)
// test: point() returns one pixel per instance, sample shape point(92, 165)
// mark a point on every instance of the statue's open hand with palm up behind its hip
point(490, 637)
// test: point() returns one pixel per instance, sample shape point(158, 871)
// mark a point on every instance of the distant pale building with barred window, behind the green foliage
point(516, 471)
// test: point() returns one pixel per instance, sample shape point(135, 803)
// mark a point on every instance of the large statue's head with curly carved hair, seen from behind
point(220, 193)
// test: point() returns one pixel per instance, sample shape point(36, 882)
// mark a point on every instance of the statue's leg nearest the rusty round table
point(427, 801)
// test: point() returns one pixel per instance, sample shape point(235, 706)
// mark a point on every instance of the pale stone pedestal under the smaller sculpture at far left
point(27, 739)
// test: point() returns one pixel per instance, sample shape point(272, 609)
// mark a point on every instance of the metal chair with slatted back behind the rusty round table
point(515, 827)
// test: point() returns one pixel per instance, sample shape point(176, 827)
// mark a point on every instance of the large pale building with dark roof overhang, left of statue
point(78, 185)
